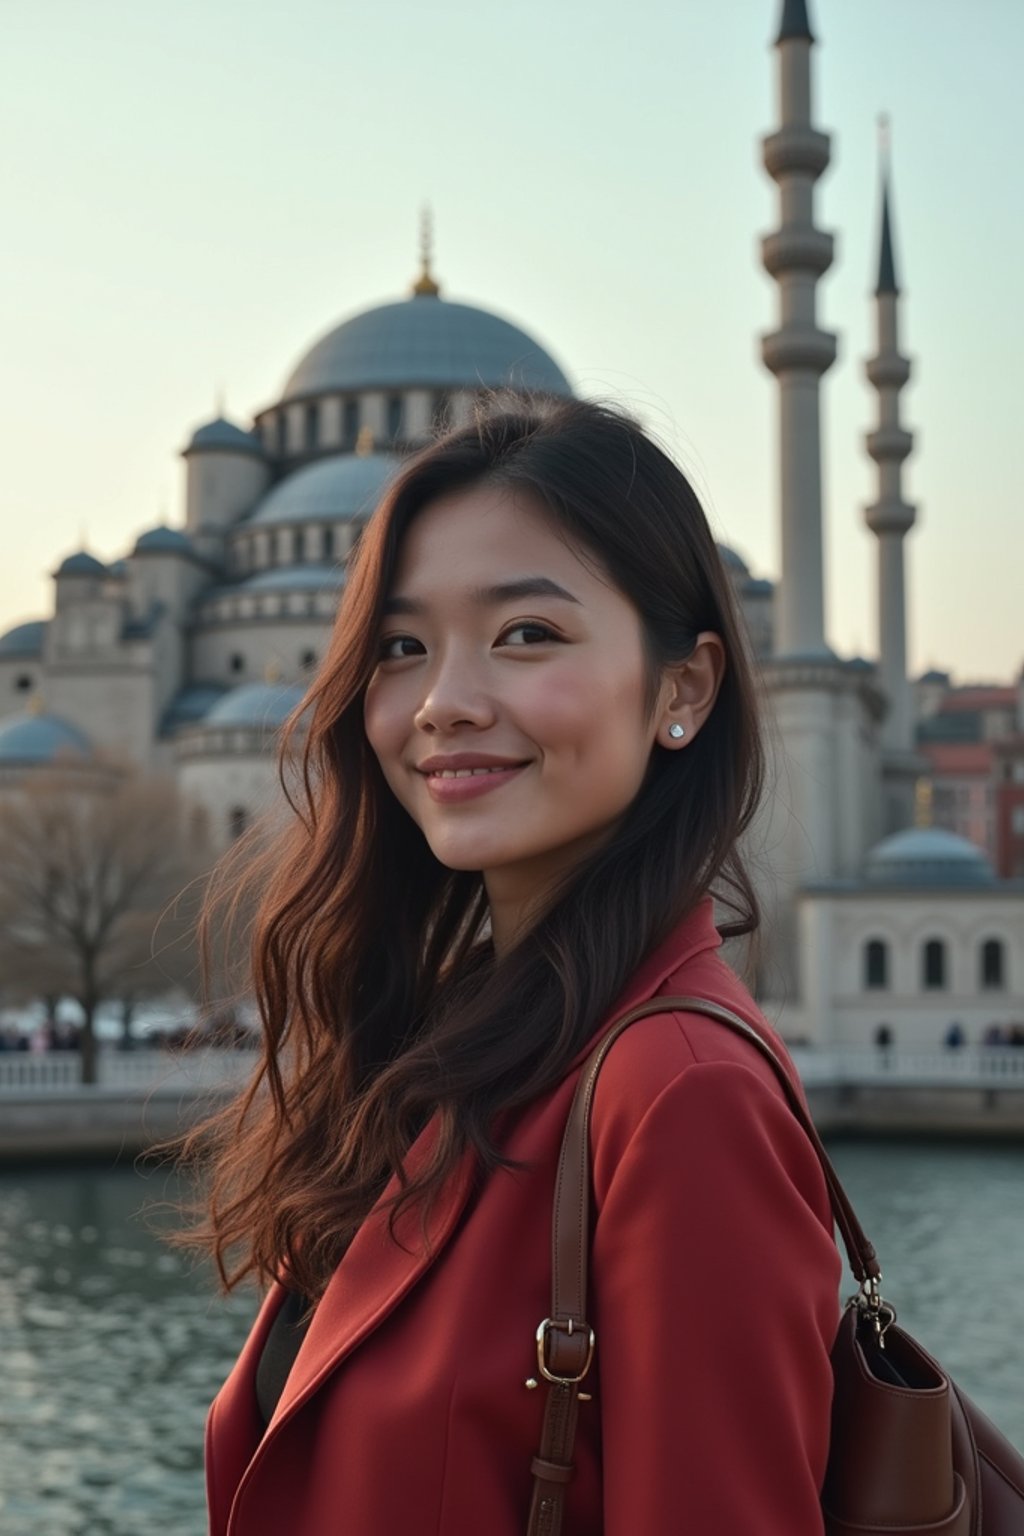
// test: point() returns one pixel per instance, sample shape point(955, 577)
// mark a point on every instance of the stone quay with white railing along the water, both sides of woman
point(148, 1094)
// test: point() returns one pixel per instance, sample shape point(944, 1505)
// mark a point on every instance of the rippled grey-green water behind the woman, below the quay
point(113, 1348)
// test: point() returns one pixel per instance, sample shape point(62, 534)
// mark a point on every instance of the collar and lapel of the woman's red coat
point(377, 1273)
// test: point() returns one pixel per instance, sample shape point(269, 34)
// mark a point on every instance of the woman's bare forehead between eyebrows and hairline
point(484, 534)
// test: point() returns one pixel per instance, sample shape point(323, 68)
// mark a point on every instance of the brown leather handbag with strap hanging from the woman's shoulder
point(910, 1452)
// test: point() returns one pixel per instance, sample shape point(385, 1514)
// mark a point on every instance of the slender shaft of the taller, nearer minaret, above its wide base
point(799, 353)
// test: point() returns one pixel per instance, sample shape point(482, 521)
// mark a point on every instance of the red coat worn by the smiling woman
point(715, 1300)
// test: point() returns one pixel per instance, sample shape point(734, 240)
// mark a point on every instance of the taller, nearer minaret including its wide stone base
point(822, 807)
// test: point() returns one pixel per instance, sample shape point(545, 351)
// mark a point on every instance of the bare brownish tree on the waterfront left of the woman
point(85, 876)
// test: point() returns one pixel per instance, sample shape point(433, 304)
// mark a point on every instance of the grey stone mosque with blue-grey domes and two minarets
point(188, 654)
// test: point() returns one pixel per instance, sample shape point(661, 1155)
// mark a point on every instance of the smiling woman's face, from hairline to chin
point(509, 706)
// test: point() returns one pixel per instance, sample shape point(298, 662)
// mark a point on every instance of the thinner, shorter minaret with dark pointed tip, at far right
point(891, 517)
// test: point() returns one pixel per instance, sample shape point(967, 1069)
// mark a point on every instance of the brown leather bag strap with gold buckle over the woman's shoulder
point(566, 1342)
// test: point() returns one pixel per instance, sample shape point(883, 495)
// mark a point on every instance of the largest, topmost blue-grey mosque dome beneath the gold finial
point(426, 342)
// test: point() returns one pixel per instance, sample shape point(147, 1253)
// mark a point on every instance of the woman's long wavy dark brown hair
point(382, 1001)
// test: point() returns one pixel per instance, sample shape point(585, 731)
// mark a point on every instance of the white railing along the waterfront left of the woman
point(144, 1071)
